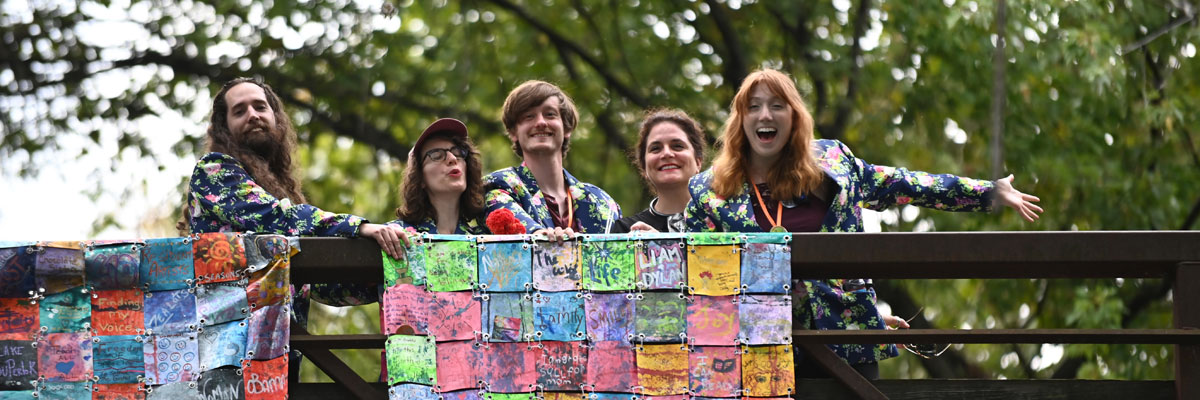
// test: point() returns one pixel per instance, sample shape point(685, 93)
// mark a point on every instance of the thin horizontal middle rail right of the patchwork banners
point(1138, 337)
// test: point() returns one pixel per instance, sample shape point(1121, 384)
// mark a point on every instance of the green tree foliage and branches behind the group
point(1102, 100)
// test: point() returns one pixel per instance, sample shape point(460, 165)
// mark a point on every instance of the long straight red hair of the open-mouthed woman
point(796, 172)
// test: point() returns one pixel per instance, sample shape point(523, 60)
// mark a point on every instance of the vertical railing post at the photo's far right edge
point(1187, 317)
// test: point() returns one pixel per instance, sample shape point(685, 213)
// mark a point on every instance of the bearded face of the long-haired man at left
point(250, 117)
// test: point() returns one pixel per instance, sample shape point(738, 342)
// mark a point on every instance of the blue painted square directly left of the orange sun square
point(167, 265)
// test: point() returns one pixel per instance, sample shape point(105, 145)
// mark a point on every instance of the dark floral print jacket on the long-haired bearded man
point(225, 199)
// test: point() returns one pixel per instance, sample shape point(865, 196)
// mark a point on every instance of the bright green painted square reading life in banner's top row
point(609, 266)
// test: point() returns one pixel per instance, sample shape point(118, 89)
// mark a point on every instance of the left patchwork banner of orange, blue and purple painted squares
point(205, 317)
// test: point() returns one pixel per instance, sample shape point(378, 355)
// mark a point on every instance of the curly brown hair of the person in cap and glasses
point(417, 206)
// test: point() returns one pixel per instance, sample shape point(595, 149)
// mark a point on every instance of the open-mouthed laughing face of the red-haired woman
point(767, 124)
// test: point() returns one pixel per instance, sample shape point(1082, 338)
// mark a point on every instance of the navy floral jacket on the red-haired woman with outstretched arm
point(823, 305)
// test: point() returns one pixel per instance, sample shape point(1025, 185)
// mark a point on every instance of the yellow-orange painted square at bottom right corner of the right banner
point(769, 372)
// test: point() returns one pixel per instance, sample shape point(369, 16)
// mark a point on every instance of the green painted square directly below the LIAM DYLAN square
point(662, 317)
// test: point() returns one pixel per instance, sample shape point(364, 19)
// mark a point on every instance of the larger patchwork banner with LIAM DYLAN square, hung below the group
point(663, 317)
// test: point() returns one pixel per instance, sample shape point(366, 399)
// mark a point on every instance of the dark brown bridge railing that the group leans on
point(1174, 256)
